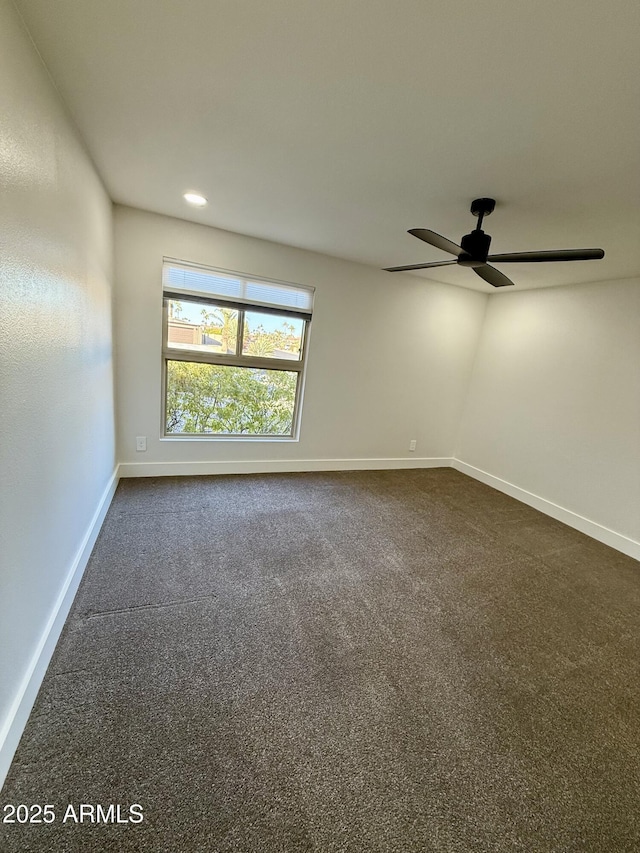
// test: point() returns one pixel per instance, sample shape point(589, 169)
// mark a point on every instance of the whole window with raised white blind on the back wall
point(234, 352)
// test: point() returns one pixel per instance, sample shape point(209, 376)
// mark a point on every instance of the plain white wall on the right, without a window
point(554, 402)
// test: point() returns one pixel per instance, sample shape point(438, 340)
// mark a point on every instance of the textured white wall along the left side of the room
point(56, 389)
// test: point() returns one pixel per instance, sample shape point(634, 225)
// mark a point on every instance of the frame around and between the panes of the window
point(239, 359)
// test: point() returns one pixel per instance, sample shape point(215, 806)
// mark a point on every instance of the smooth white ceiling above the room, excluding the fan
point(336, 125)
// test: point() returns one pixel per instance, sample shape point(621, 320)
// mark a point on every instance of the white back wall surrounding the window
point(389, 356)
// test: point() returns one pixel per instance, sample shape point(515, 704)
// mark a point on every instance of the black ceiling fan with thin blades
point(473, 250)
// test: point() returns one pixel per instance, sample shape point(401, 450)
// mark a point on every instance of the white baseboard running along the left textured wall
point(13, 726)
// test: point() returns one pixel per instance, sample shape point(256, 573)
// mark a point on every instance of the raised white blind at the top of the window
point(181, 279)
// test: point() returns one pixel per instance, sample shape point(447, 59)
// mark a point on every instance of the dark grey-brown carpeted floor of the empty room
point(361, 661)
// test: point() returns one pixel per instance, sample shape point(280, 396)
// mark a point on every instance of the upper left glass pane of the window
point(196, 326)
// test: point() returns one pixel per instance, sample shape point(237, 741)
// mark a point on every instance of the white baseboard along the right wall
point(572, 519)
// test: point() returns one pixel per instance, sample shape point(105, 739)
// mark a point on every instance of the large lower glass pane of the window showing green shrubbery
point(223, 400)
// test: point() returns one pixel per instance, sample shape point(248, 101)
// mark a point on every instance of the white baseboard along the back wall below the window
point(276, 466)
